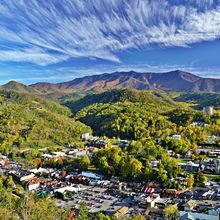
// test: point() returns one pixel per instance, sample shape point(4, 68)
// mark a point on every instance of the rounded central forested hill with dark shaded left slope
point(125, 113)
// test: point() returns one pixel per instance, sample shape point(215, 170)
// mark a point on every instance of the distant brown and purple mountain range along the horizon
point(169, 81)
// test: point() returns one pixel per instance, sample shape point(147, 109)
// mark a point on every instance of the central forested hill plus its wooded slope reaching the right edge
point(143, 115)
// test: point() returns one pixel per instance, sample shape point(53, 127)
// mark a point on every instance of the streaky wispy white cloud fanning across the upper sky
point(47, 32)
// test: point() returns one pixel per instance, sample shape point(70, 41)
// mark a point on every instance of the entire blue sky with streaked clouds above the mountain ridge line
point(55, 41)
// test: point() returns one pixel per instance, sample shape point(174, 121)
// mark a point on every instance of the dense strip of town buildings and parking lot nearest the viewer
point(121, 199)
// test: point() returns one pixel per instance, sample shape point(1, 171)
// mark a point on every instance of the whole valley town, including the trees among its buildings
point(114, 196)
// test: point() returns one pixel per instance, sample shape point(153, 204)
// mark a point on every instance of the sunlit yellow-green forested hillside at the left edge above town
point(30, 121)
